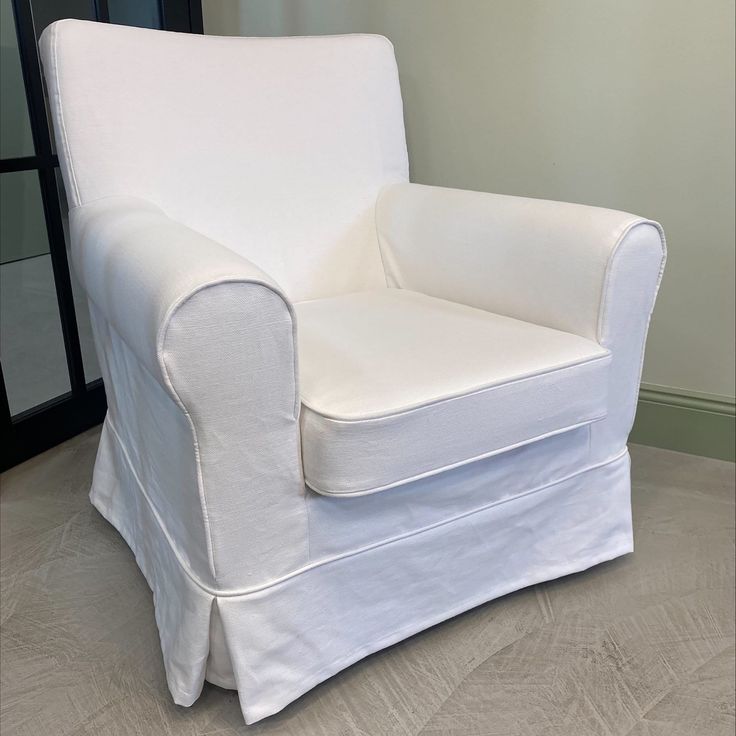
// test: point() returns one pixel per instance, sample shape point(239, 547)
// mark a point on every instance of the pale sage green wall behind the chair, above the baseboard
point(620, 103)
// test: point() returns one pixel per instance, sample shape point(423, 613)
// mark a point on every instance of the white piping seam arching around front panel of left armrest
point(160, 342)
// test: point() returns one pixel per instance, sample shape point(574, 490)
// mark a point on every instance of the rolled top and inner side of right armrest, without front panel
point(541, 261)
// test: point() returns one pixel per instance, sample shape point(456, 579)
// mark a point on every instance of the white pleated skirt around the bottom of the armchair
point(278, 641)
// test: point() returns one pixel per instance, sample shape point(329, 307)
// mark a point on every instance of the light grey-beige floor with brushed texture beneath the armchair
point(642, 646)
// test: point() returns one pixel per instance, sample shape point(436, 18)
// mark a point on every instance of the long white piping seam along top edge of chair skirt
point(336, 558)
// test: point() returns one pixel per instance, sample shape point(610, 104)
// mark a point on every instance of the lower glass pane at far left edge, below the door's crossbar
point(31, 343)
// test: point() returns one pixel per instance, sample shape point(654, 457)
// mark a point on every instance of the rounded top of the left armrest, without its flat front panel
point(138, 266)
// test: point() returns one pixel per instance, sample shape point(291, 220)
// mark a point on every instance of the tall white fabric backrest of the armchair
point(275, 147)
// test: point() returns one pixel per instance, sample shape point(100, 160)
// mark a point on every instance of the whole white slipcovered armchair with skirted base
point(342, 407)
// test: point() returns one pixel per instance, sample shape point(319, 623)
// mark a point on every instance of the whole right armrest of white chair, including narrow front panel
point(585, 270)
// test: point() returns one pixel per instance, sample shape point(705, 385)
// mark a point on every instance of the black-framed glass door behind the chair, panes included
point(50, 385)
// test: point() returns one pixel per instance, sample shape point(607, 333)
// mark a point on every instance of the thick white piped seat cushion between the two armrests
point(396, 385)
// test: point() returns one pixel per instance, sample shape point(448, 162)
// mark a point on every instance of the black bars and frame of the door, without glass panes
point(27, 434)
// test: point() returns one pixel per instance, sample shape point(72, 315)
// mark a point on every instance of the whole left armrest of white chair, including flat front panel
point(218, 338)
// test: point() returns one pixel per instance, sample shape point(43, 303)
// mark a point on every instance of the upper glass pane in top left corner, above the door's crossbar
point(15, 125)
